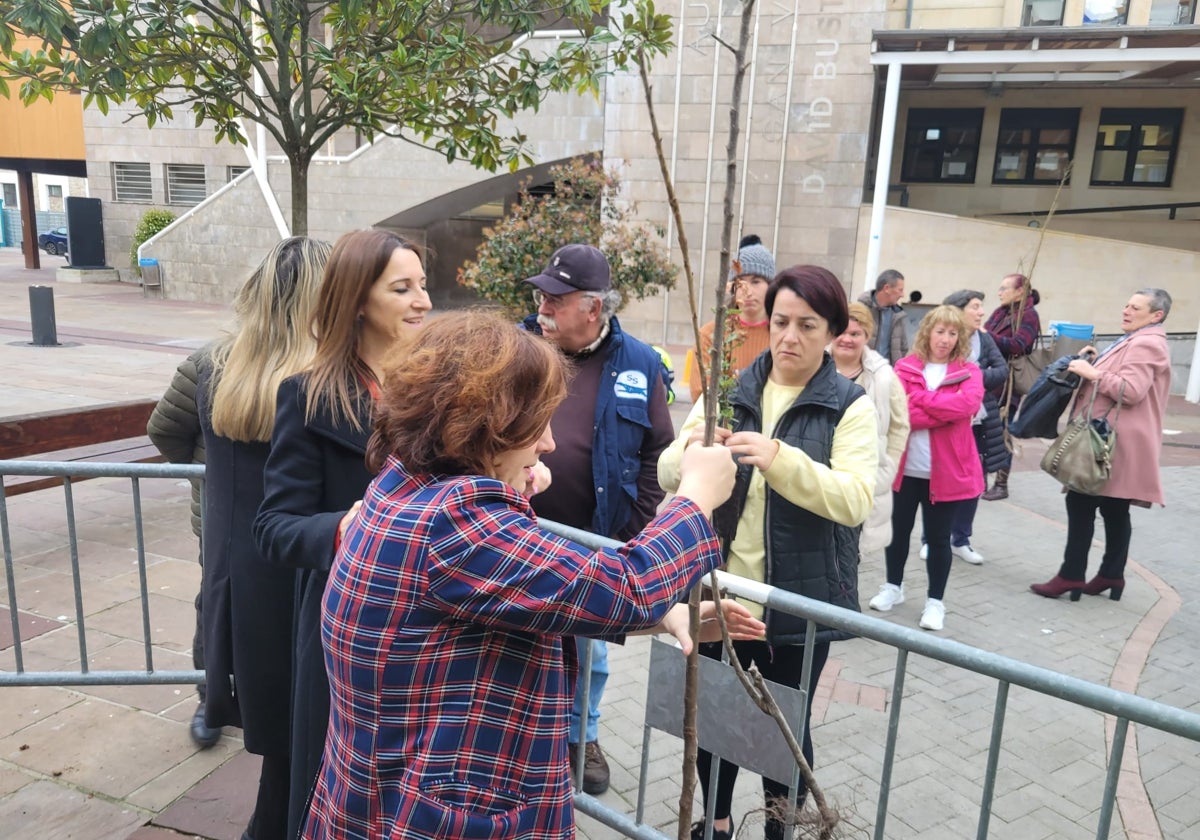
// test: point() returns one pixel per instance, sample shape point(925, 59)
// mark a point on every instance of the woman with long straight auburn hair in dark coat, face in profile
point(374, 297)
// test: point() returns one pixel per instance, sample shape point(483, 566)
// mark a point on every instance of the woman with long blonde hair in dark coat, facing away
point(249, 604)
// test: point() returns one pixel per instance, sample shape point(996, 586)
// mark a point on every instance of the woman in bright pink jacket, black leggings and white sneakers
point(940, 467)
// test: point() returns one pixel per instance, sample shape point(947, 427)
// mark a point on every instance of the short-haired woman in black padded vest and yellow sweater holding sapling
point(807, 446)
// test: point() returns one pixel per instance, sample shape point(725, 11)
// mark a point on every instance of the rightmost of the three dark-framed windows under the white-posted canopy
point(1136, 147)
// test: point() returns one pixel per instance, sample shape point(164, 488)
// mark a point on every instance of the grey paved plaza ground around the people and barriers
point(117, 763)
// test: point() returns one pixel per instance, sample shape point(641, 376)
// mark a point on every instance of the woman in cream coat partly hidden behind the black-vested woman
point(859, 363)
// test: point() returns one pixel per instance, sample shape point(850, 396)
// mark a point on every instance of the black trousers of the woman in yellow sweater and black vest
point(783, 665)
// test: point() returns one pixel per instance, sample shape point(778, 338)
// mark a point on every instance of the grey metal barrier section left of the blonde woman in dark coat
point(85, 676)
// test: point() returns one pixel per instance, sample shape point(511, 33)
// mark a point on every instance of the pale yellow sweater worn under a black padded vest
point(842, 491)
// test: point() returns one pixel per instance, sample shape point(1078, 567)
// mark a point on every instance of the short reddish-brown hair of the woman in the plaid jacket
point(471, 387)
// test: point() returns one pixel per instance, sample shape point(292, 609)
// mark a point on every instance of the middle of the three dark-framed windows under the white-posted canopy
point(1035, 146)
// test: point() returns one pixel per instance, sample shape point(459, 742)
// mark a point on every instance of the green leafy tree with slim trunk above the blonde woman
point(442, 75)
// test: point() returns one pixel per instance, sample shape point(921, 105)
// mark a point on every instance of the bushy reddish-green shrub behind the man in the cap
point(584, 207)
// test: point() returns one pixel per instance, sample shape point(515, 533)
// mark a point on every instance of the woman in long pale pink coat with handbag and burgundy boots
point(1137, 370)
